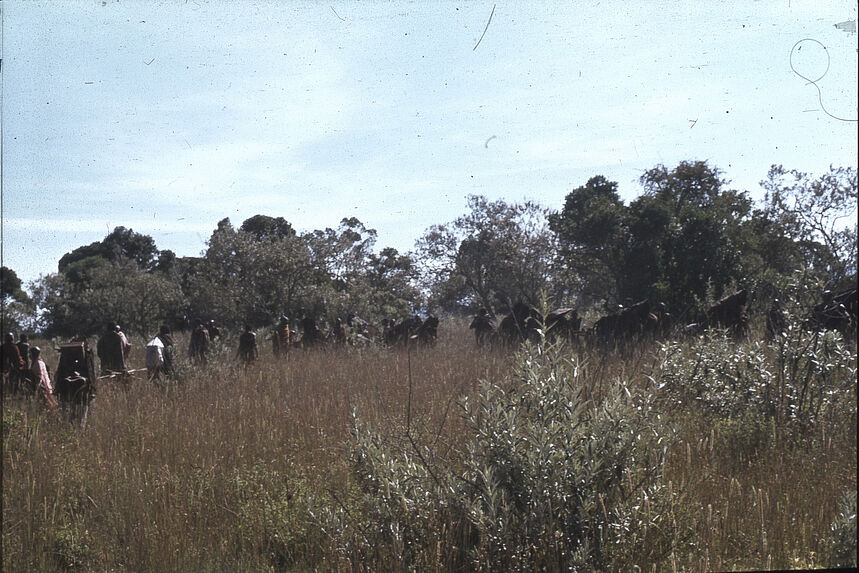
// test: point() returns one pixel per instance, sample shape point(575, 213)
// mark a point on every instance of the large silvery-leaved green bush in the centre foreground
point(547, 477)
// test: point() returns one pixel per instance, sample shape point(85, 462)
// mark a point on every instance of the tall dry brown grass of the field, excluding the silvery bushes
point(234, 468)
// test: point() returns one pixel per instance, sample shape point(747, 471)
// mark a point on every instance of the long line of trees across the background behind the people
point(686, 240)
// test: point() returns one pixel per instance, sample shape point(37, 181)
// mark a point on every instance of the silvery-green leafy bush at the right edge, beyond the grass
point(799, 377)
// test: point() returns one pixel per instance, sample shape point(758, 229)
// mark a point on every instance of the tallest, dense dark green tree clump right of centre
point(679, 242)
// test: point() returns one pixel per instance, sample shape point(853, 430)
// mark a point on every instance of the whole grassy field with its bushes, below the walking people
point(705, 455)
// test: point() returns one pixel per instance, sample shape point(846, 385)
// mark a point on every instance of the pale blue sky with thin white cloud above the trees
point(166, 117)
